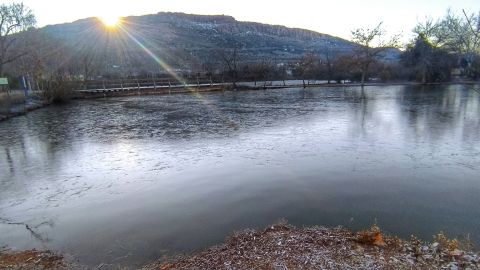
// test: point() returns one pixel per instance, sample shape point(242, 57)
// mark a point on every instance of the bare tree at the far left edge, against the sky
point(14, 18)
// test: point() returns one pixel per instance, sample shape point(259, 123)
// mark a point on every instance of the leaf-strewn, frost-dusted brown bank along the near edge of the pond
point(282, 246)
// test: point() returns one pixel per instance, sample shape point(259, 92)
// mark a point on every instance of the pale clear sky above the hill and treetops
point(334, 17)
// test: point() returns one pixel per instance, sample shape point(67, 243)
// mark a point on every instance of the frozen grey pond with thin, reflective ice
point(127, 180)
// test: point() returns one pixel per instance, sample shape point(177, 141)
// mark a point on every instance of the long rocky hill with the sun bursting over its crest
point(184, 41)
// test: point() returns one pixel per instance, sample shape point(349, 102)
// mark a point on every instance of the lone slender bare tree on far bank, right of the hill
point(372, 45)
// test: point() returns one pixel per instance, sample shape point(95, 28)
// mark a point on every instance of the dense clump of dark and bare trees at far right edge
point(440, 46)
